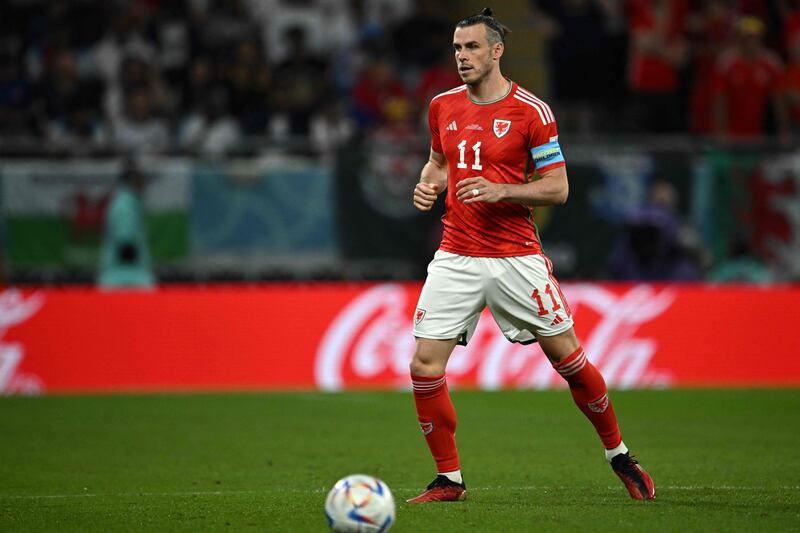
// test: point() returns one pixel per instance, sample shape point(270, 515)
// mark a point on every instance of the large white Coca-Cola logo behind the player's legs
point(369, 343)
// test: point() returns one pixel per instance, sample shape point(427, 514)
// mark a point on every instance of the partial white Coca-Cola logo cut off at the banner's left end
point(14, 310)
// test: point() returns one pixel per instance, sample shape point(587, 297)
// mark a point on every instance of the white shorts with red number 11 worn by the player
point(521, 293)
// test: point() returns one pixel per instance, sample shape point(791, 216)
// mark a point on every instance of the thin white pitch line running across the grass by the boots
point(324, 490)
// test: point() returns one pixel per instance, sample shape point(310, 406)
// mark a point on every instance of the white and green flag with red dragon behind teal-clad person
point(53, 211)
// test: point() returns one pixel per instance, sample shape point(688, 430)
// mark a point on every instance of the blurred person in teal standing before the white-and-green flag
point(125, 255)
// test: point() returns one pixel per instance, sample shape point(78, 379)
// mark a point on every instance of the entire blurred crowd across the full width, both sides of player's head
point(202, 75)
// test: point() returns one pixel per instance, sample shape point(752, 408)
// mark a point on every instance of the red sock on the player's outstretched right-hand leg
point(591, 396)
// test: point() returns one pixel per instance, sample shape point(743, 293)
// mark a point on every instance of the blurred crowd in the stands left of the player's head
point(201, 75)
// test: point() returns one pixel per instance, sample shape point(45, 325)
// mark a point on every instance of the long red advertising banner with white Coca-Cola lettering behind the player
point(345, 336)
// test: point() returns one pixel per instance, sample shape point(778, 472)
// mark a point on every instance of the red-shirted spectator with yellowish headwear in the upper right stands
point(747, 81)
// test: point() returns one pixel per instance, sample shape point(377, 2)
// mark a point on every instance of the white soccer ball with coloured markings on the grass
point(360, 504)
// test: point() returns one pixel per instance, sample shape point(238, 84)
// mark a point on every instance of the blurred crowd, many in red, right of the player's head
point(727, 68)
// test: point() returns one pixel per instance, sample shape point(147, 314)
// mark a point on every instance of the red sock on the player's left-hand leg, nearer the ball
point(437, 419)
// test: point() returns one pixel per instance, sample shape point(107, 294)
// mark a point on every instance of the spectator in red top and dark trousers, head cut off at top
point(658, 51)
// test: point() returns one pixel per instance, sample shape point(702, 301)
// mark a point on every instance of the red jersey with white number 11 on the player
point(501, 141)
